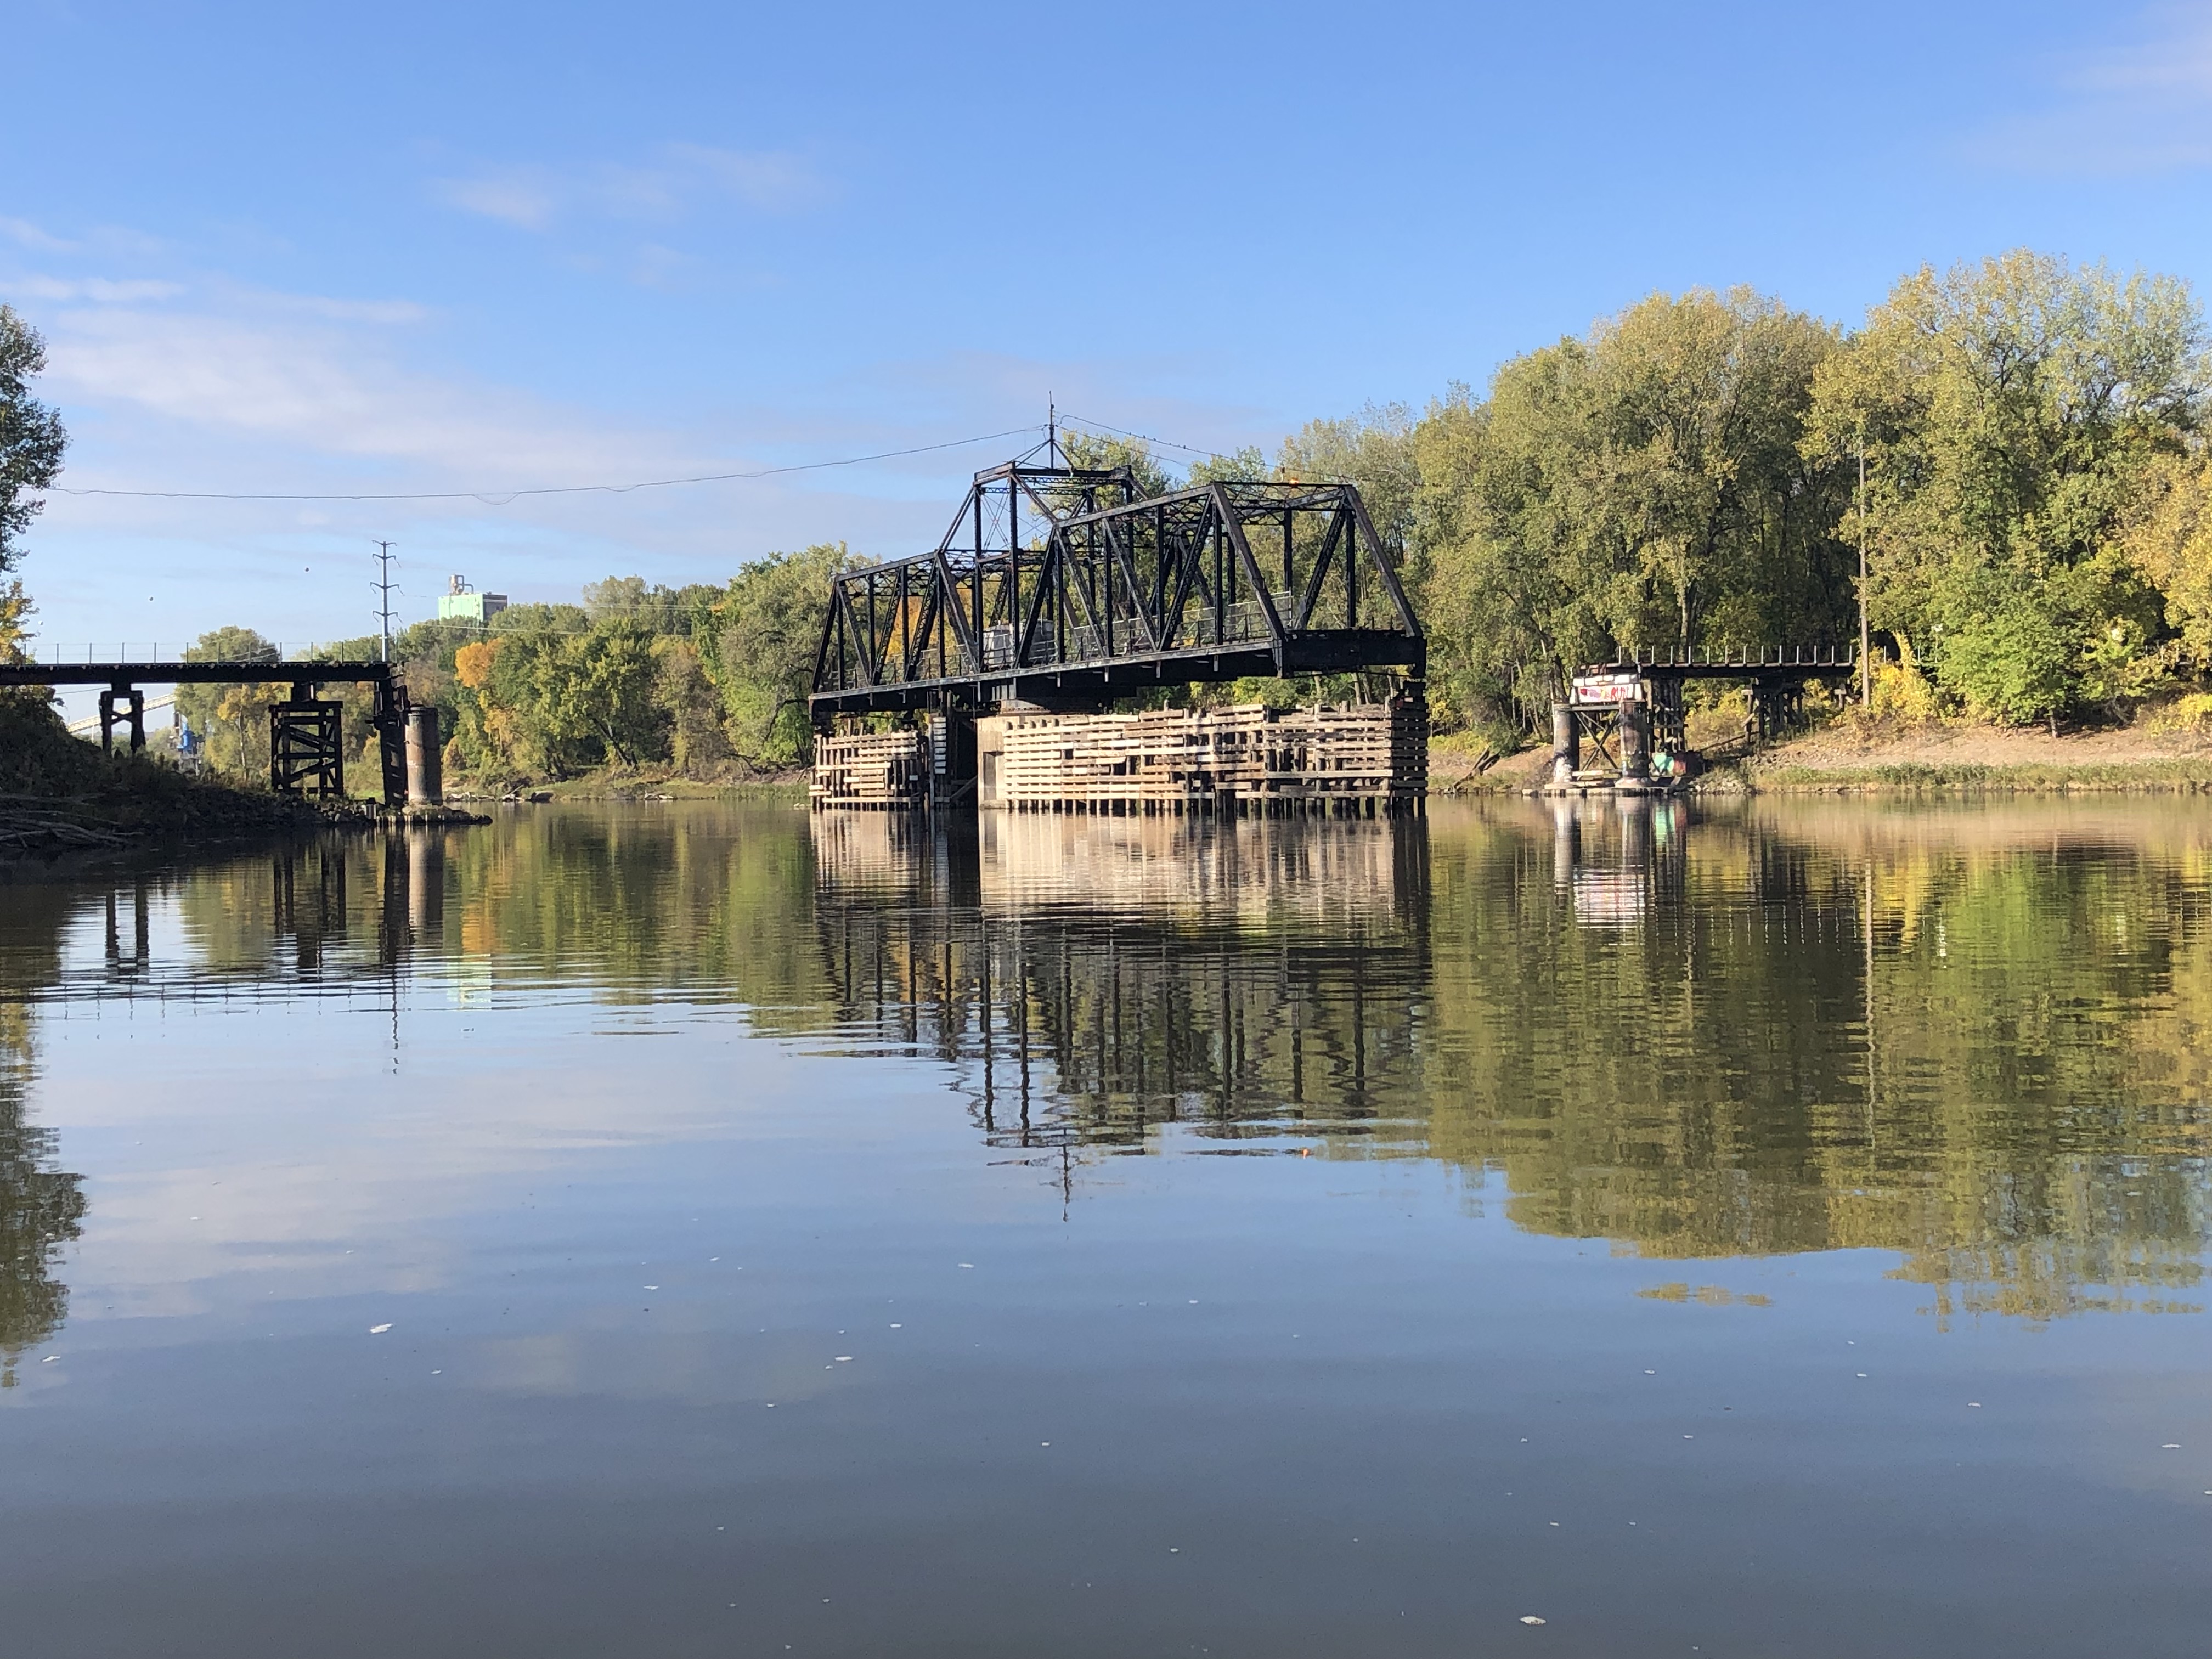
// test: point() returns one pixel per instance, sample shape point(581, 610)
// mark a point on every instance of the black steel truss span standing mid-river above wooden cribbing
point(1065, 587)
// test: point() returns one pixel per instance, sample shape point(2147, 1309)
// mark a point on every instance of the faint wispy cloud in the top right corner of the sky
point(2136, 107)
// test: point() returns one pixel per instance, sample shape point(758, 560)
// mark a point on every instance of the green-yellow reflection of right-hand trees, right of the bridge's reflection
point(1963, 1036)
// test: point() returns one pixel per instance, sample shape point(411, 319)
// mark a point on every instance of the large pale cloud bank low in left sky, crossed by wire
point(220, 386)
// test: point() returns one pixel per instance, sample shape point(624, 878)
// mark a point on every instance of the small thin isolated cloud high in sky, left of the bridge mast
point(682, 180)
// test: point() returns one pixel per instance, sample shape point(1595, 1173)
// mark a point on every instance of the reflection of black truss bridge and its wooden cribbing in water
point(1118, 974)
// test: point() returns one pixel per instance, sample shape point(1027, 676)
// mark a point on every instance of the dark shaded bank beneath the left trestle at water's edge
point(65, 804)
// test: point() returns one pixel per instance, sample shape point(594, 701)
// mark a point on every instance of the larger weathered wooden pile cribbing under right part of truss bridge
point(1240, 762)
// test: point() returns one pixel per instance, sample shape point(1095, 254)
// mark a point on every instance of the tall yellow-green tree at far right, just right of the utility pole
point(2014, 415)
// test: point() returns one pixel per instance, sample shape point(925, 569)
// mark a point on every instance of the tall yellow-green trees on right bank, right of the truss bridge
point(2018, 444)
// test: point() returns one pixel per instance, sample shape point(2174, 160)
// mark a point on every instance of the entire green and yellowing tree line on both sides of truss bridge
point(2018, 448)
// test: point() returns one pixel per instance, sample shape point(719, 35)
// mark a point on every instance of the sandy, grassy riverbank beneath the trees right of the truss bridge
point(1837, 760)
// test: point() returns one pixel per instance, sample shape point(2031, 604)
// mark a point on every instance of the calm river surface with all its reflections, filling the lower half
point(707, 1231)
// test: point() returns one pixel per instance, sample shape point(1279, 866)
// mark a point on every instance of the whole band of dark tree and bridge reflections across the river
point(1976, 1039)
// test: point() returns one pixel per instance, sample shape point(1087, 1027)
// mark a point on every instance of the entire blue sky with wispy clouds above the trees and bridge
point(479, 247)
